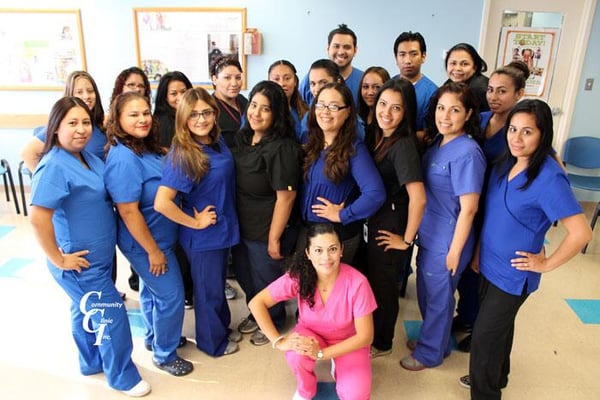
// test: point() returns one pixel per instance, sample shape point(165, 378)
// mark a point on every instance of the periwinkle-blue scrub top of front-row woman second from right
point(449, 171)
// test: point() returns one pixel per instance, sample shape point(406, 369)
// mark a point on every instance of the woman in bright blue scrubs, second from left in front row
point(146, 238)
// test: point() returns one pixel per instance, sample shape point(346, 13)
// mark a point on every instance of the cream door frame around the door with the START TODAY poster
point(561, 132)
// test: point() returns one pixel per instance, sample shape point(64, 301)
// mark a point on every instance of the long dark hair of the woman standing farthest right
point(543, 120)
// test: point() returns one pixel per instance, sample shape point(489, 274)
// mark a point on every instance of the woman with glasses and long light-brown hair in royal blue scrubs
point(200, 170)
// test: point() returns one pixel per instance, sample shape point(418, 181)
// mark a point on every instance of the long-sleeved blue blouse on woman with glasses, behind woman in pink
point(362, 189)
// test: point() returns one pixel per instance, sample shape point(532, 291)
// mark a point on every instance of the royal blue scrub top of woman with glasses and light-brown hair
point(216, 188)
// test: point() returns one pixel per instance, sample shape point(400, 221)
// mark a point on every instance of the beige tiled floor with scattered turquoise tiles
point(556, 353)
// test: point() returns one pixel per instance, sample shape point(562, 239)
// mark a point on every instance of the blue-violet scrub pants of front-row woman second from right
point(435, 294)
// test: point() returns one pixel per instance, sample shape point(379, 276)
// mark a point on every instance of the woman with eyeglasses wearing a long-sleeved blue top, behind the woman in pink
point(341, 183)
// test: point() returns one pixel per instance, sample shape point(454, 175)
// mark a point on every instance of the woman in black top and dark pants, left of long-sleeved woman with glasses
point(267, 161)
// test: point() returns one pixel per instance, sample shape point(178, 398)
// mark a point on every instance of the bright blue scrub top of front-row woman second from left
point(132, 178)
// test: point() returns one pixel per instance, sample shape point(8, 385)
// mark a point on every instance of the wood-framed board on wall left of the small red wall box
point(187, 40)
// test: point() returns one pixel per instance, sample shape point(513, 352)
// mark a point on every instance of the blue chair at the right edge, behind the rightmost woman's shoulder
point(584, 152)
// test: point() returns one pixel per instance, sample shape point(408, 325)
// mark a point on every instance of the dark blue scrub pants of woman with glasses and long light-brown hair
point(211, 310)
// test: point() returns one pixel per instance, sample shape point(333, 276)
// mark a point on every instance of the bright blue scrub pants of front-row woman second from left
point(161, 299)
